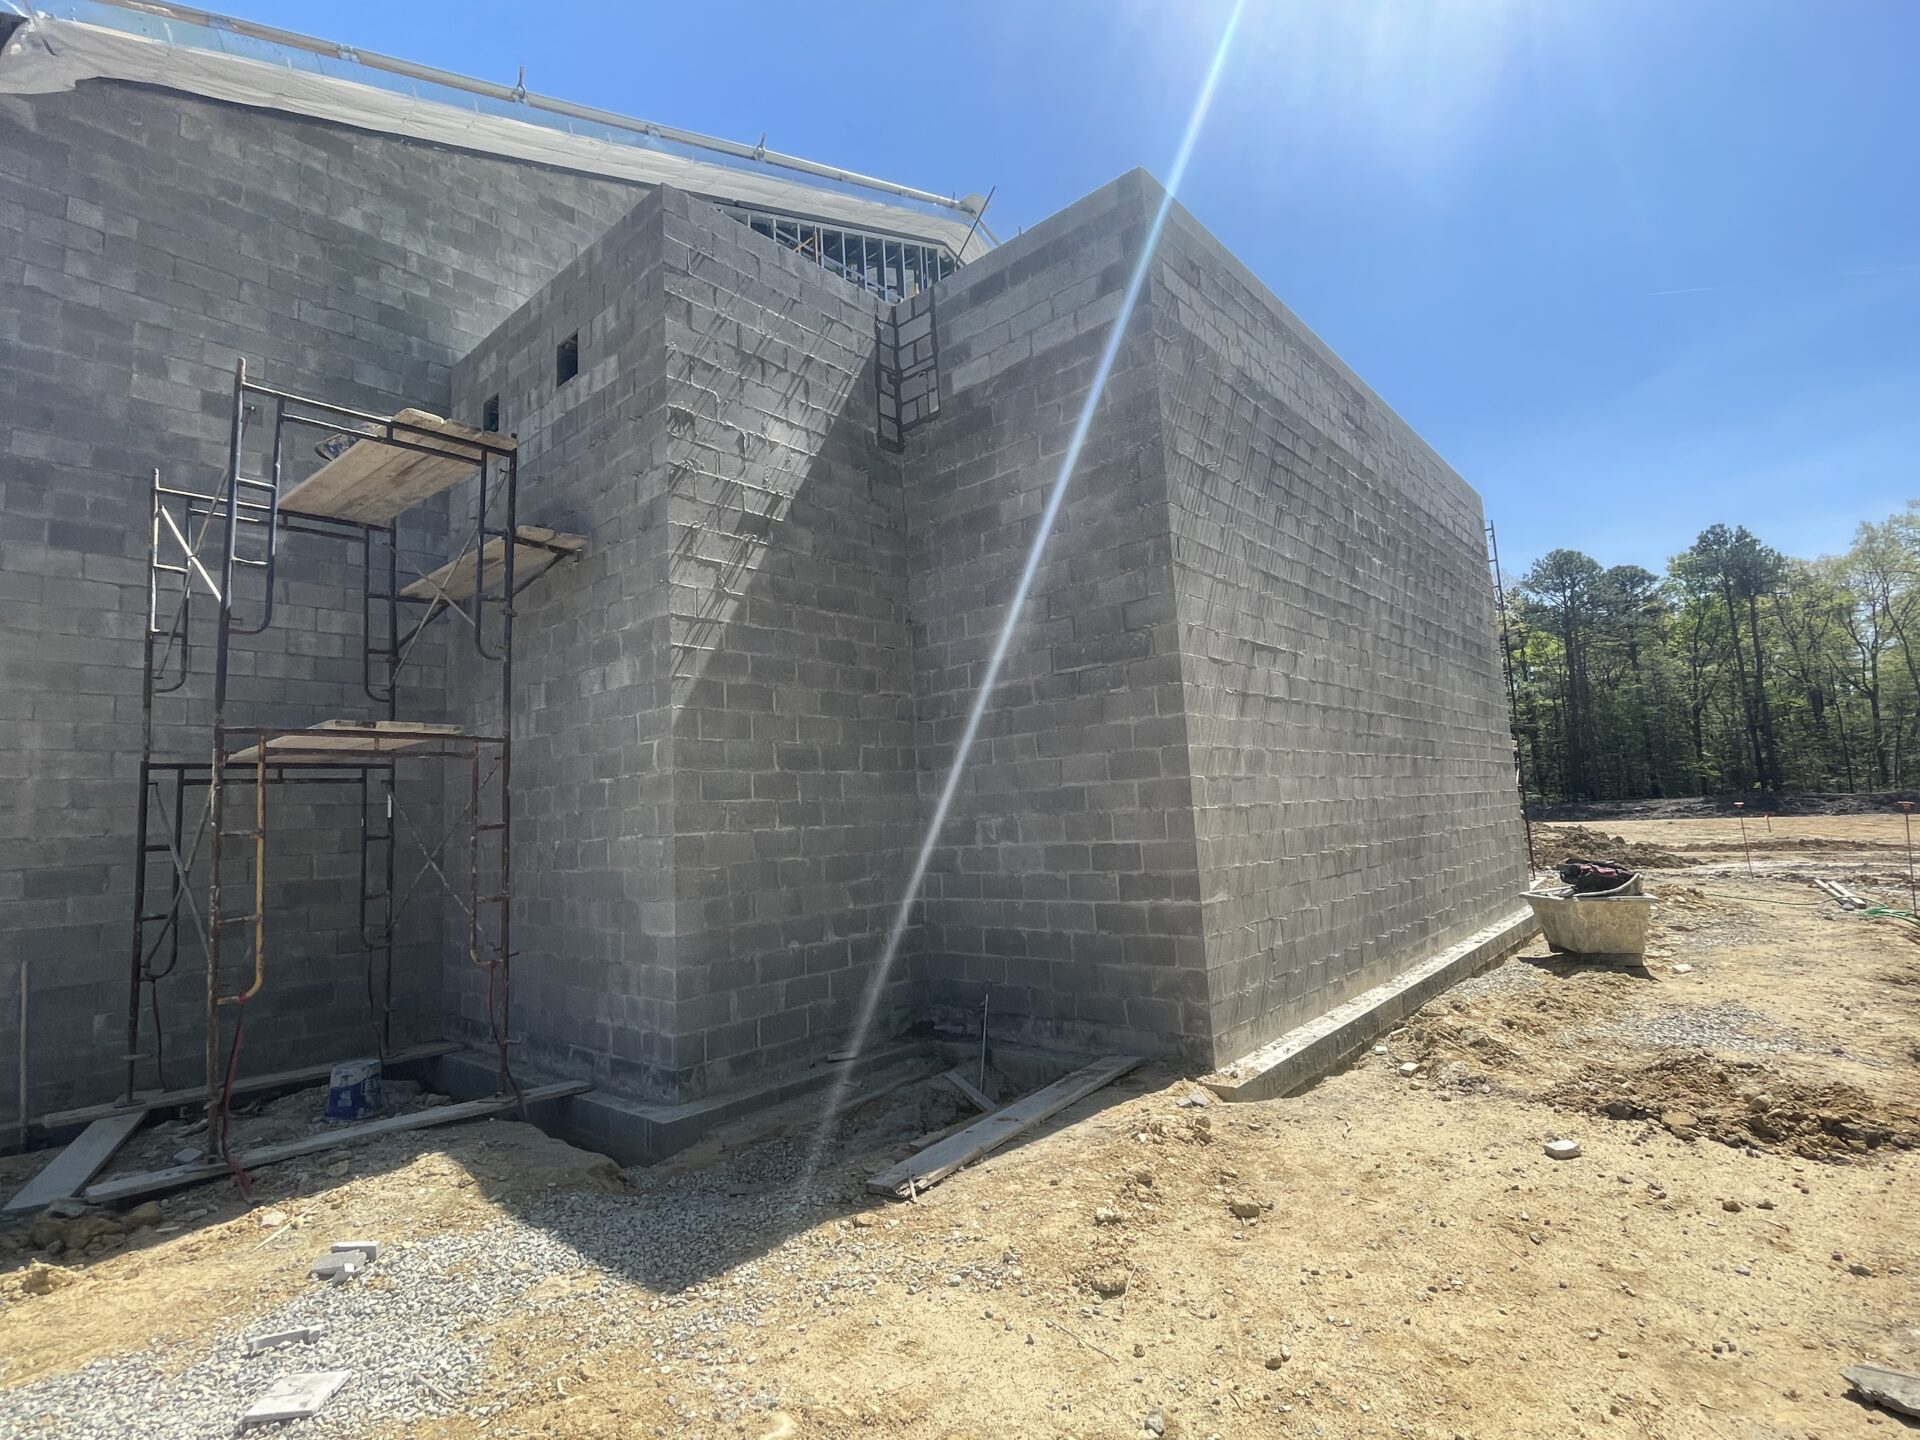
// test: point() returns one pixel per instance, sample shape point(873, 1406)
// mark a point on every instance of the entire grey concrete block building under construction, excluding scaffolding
point(1249, 756)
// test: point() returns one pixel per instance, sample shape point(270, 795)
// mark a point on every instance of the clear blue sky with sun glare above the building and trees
point(1631, 266)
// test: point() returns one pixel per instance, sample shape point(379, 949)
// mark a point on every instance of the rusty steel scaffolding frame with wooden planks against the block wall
point(204, 544)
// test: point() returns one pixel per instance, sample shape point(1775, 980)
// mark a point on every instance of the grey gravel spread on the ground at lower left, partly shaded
point(692, 1259)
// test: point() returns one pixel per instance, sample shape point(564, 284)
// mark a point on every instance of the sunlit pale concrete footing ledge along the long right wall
point(1310, 1051)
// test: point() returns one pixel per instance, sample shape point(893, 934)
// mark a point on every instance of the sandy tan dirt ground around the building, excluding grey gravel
point(1385, 1255)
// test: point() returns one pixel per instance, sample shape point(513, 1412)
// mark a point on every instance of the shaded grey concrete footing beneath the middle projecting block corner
point(636, 1132)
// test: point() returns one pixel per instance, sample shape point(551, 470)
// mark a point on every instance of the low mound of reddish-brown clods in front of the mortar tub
point(1746, 1105)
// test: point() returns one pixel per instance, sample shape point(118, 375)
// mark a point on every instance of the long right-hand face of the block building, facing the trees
point(1347, 725)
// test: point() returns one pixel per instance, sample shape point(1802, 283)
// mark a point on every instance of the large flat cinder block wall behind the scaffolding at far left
point(147, 243)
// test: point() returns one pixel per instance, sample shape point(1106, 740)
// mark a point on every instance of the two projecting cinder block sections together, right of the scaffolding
point(1249, 754)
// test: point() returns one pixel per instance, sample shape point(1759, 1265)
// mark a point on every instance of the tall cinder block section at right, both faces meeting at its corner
point(1251, 754)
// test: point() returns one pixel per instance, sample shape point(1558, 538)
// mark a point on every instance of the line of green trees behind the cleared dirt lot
point(1739, 669)
